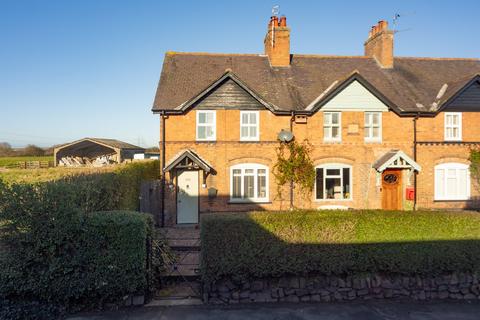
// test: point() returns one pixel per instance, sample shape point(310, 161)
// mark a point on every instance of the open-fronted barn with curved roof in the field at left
point(94, 152)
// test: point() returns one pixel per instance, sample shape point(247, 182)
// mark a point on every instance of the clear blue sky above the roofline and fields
point(71, 69)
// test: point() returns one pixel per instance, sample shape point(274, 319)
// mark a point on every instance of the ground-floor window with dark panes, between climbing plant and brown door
point(333, 182)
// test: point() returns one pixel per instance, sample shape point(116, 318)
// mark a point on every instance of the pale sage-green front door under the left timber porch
point(187, 197)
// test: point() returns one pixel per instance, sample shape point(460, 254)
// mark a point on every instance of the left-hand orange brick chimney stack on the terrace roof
point(277, 42)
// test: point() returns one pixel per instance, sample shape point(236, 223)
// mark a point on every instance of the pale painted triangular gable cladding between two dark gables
point(355, 97)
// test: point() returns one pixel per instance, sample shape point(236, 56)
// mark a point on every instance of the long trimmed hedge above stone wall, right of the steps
point(268, 244)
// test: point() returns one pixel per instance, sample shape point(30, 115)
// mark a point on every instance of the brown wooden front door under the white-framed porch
point(392, 189)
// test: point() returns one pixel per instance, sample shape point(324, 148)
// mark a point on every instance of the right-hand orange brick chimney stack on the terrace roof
point(380, 44)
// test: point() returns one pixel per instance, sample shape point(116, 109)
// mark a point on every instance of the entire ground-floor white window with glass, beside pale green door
point(249, 183)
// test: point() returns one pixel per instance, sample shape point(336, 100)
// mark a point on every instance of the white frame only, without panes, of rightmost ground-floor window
point(450, 166)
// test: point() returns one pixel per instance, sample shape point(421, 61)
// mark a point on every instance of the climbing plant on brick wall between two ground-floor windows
point(294, 164)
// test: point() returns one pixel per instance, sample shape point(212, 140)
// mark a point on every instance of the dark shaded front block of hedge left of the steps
point(70, 260)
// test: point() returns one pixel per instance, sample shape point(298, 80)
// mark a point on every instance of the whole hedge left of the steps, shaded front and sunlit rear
point(56, 255)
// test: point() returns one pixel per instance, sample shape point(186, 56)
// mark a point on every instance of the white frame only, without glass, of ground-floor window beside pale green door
point(255, 167)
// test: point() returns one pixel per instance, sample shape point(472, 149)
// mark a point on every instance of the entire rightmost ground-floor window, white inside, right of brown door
point(452, 181)
